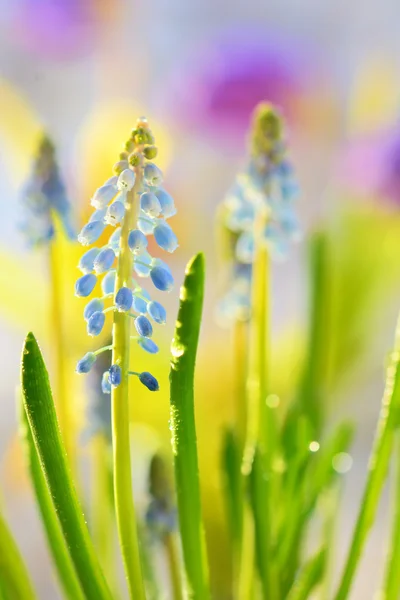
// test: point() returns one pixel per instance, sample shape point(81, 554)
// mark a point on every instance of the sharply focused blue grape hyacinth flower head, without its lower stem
point(133, 193)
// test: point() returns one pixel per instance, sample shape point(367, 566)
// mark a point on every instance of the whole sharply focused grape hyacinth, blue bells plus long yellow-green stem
point(122, 202)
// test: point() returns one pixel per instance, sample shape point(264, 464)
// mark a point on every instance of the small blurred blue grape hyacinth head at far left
point(44, 198)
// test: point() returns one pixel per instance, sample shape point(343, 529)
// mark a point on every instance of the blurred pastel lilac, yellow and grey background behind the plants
point(83, 70)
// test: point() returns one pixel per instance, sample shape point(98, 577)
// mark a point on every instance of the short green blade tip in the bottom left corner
point(14, 578)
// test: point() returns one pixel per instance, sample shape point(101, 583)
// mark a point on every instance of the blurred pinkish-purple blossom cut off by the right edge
point(371, 164)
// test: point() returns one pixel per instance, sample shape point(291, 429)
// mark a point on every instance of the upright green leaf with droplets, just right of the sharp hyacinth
point(183, 430)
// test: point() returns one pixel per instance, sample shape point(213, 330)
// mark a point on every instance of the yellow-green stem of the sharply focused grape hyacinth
point(124, 505)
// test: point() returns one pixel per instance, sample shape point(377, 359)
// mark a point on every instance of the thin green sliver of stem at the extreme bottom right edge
point(392, 580)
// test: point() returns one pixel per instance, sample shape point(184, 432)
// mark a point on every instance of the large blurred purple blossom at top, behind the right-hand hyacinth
point(217, 89)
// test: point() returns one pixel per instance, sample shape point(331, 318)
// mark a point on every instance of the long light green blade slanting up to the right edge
point(377, 471)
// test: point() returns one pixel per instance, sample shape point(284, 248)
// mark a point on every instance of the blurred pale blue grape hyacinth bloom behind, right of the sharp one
point(258, 210)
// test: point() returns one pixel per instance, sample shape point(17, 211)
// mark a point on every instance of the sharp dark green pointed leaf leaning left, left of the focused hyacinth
point(40, 411)
